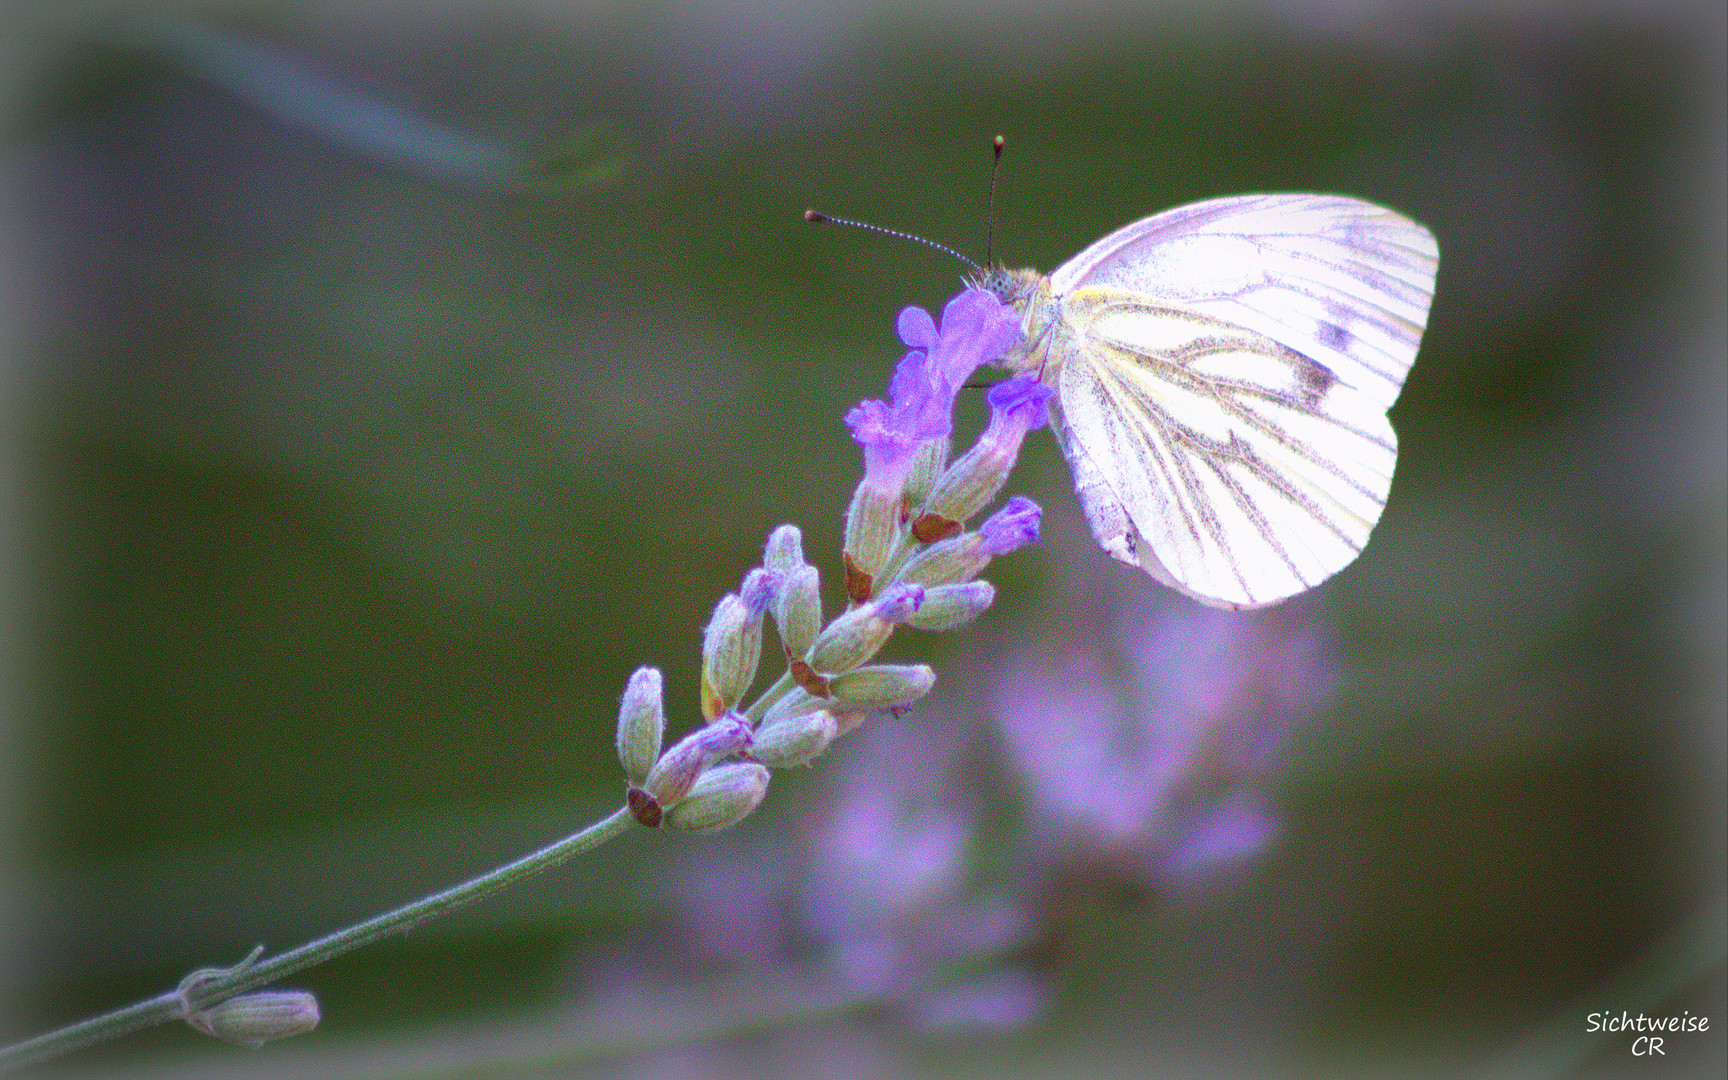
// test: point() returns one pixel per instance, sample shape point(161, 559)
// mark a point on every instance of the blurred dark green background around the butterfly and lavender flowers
point(384, 386)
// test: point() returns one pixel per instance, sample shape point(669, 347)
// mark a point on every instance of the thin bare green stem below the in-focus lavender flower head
point(245, 977)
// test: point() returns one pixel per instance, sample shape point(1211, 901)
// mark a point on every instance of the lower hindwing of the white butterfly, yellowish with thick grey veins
point(1224, 464)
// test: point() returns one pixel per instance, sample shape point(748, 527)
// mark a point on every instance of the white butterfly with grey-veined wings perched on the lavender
point(1223, 376)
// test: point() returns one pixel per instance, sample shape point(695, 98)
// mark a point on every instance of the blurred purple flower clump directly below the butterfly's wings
point(1159, 775)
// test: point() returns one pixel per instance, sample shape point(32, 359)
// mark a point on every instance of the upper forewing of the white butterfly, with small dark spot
point(1340, 281)
